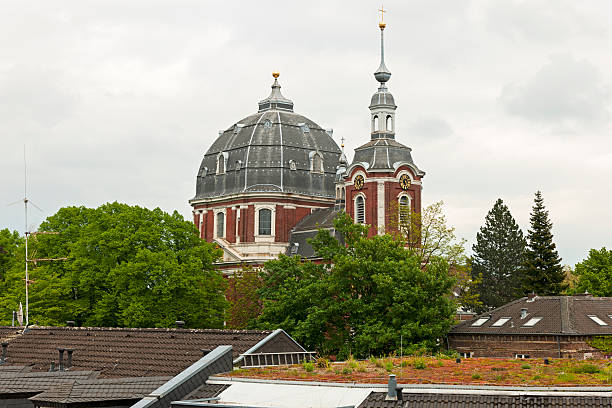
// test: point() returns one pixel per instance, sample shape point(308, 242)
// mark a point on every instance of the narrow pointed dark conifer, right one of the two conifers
point(542, 270)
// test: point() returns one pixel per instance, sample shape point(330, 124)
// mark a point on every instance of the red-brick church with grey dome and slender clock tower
point(272, 179)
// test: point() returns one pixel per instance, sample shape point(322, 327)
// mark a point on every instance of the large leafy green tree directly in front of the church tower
point(367, 296)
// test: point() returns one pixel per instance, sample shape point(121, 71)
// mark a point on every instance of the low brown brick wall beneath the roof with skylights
point(536, 346)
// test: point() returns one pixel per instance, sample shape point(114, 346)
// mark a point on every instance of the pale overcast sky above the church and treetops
point(119, 100)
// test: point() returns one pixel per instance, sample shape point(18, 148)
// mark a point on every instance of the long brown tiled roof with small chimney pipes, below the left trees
point(123, 352)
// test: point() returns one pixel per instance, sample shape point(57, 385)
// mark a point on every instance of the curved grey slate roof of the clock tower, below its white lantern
point(384, 154)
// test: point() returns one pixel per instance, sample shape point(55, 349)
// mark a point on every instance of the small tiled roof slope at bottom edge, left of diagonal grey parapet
point(109, 389)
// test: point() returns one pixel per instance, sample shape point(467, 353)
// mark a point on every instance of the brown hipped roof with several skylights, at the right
point(563, 315)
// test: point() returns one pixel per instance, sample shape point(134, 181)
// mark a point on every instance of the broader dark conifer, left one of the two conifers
point(498, 257)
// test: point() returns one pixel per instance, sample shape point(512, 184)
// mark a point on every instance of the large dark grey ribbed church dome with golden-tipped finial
point(274, 150)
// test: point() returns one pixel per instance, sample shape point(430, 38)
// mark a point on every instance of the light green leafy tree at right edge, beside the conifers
point(595, 273)
